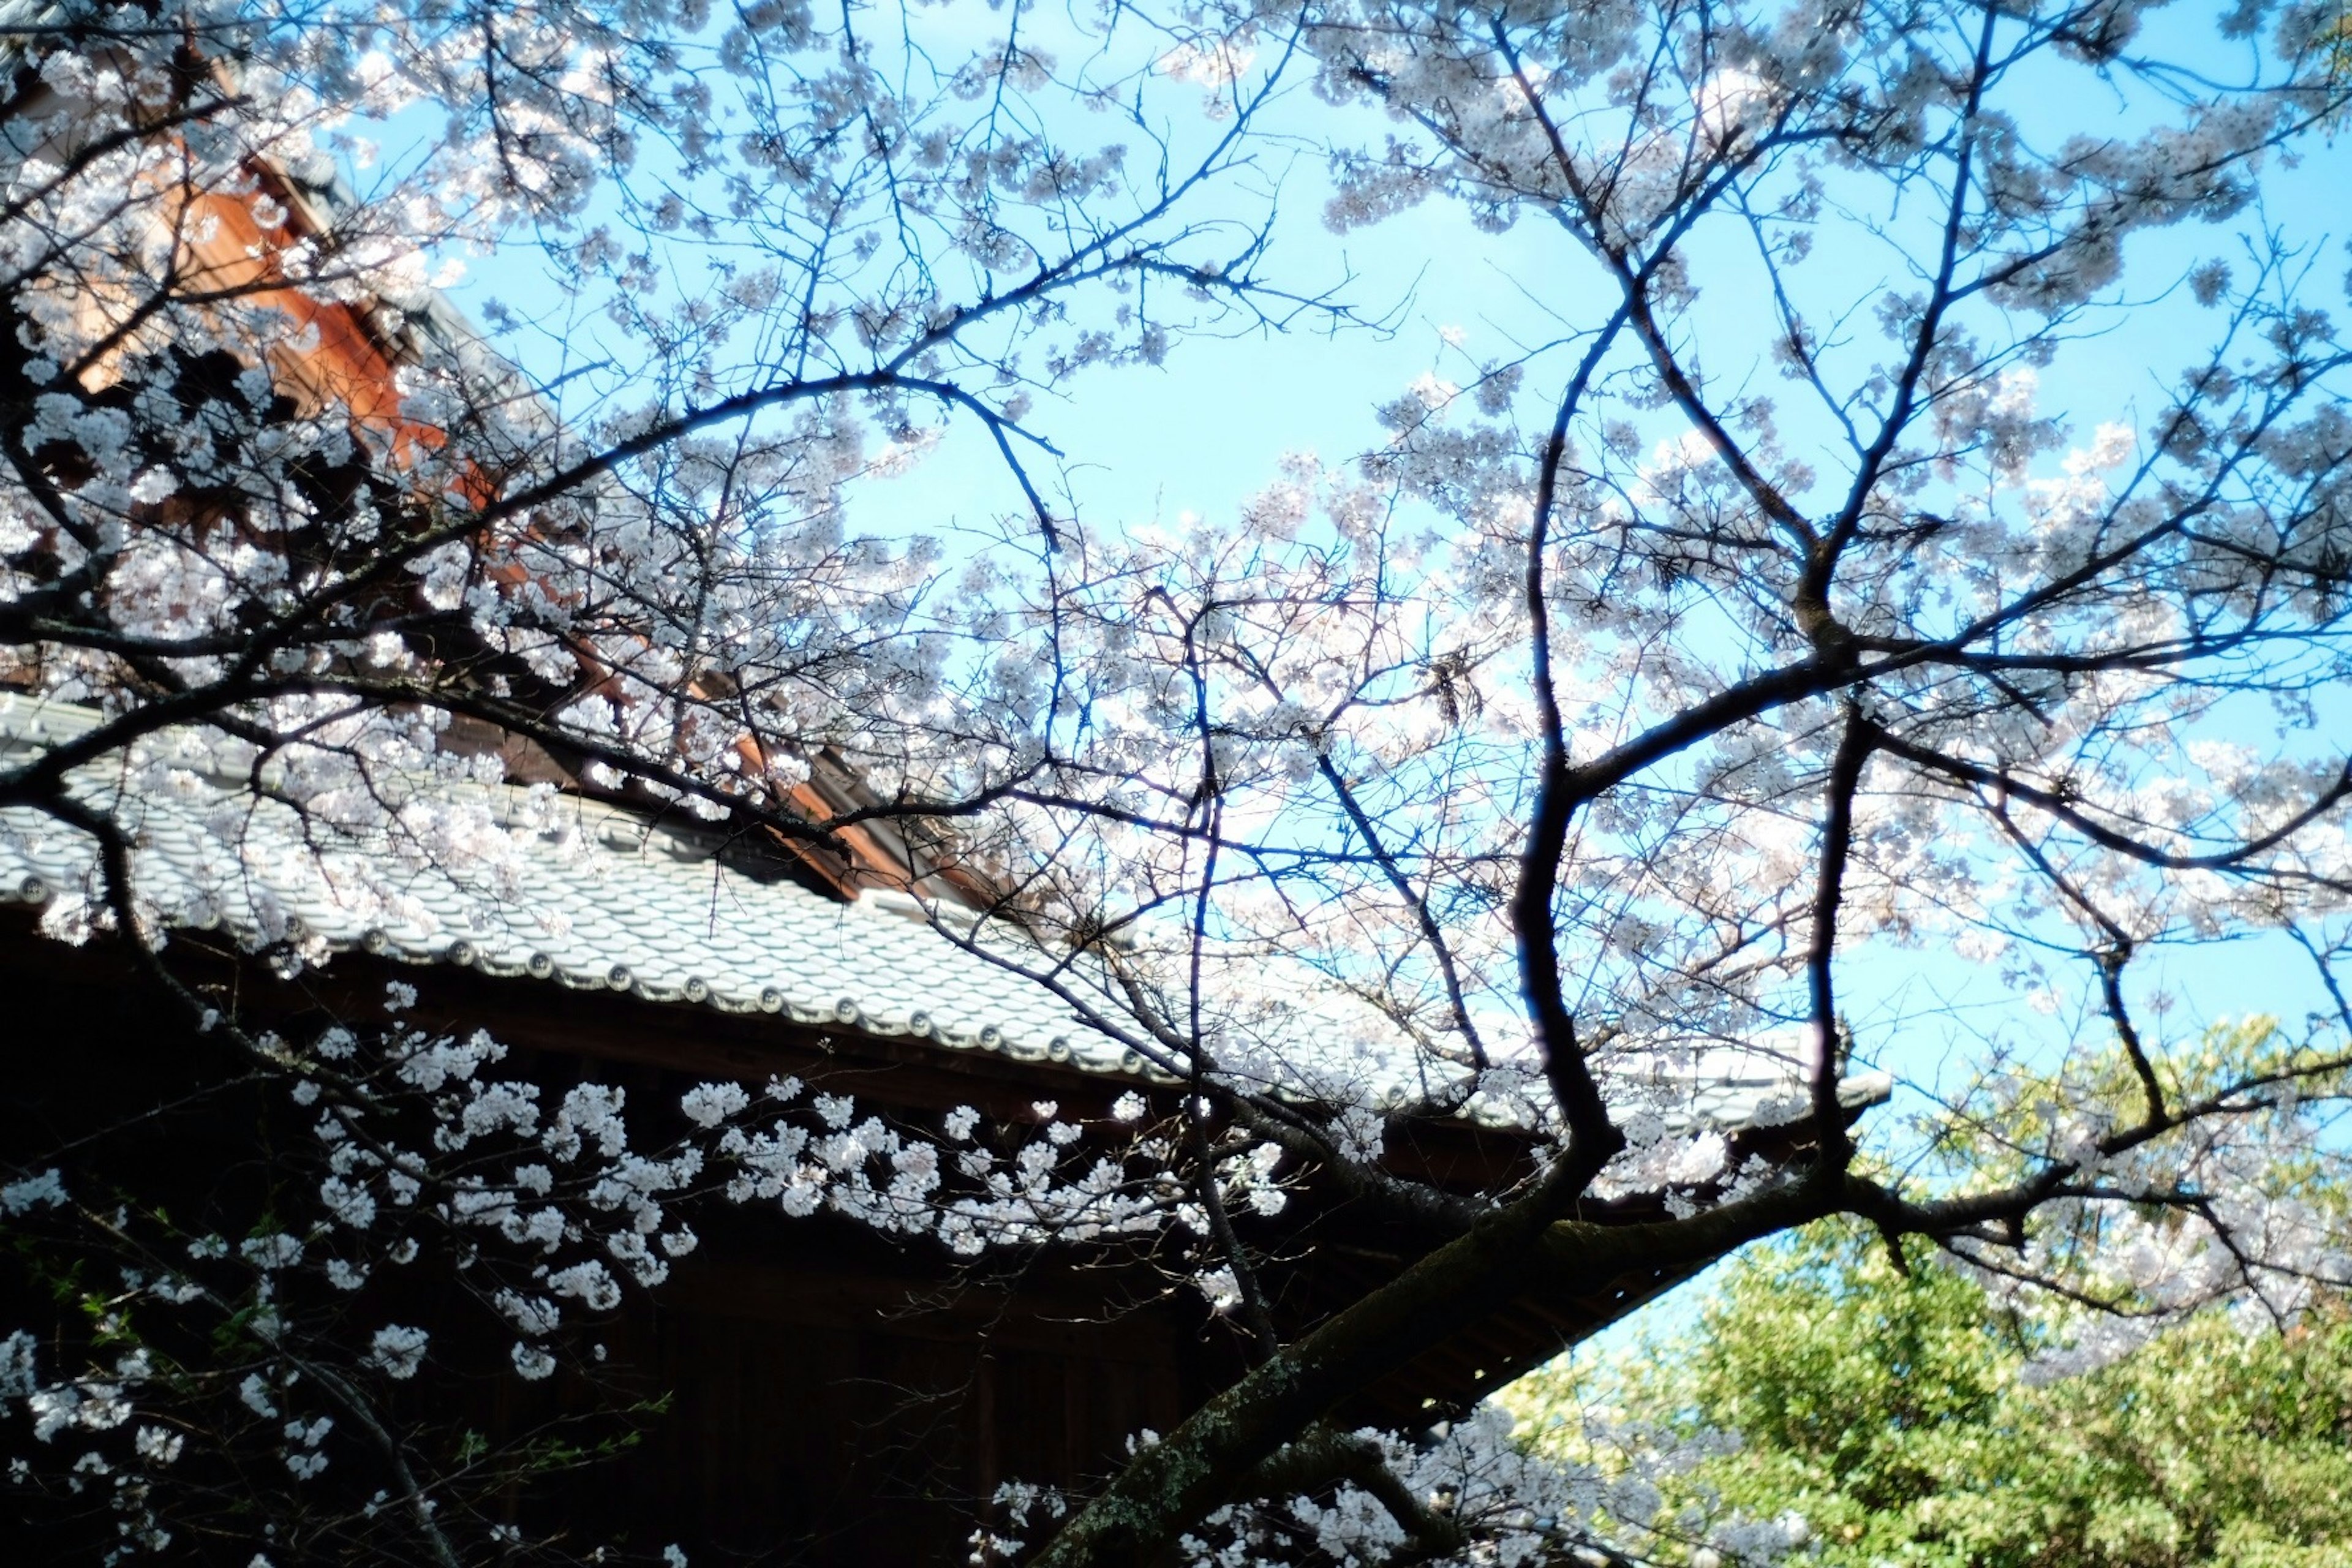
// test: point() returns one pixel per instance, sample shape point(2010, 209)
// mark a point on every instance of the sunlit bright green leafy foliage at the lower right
point(1899, 1414)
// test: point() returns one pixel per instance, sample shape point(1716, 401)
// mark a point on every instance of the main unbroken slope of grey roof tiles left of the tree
point(601, 902)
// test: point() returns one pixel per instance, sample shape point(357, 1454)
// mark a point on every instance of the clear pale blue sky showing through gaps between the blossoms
point(1210, 429)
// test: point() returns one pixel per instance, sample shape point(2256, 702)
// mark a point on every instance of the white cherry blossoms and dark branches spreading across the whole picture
point(1791, 591)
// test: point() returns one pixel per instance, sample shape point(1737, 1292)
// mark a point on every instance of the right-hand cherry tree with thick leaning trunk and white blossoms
point(1751, 645)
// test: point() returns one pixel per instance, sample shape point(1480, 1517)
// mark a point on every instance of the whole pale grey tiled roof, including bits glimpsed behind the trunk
point(582, 894)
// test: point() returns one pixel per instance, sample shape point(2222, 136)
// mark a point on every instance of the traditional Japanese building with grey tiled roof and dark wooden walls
point(829, 1395)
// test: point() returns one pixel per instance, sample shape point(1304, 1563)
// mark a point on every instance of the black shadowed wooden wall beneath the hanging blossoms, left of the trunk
point(822, 1416)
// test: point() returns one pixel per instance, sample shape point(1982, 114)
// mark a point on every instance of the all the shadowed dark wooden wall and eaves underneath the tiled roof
point(831, 1398)
